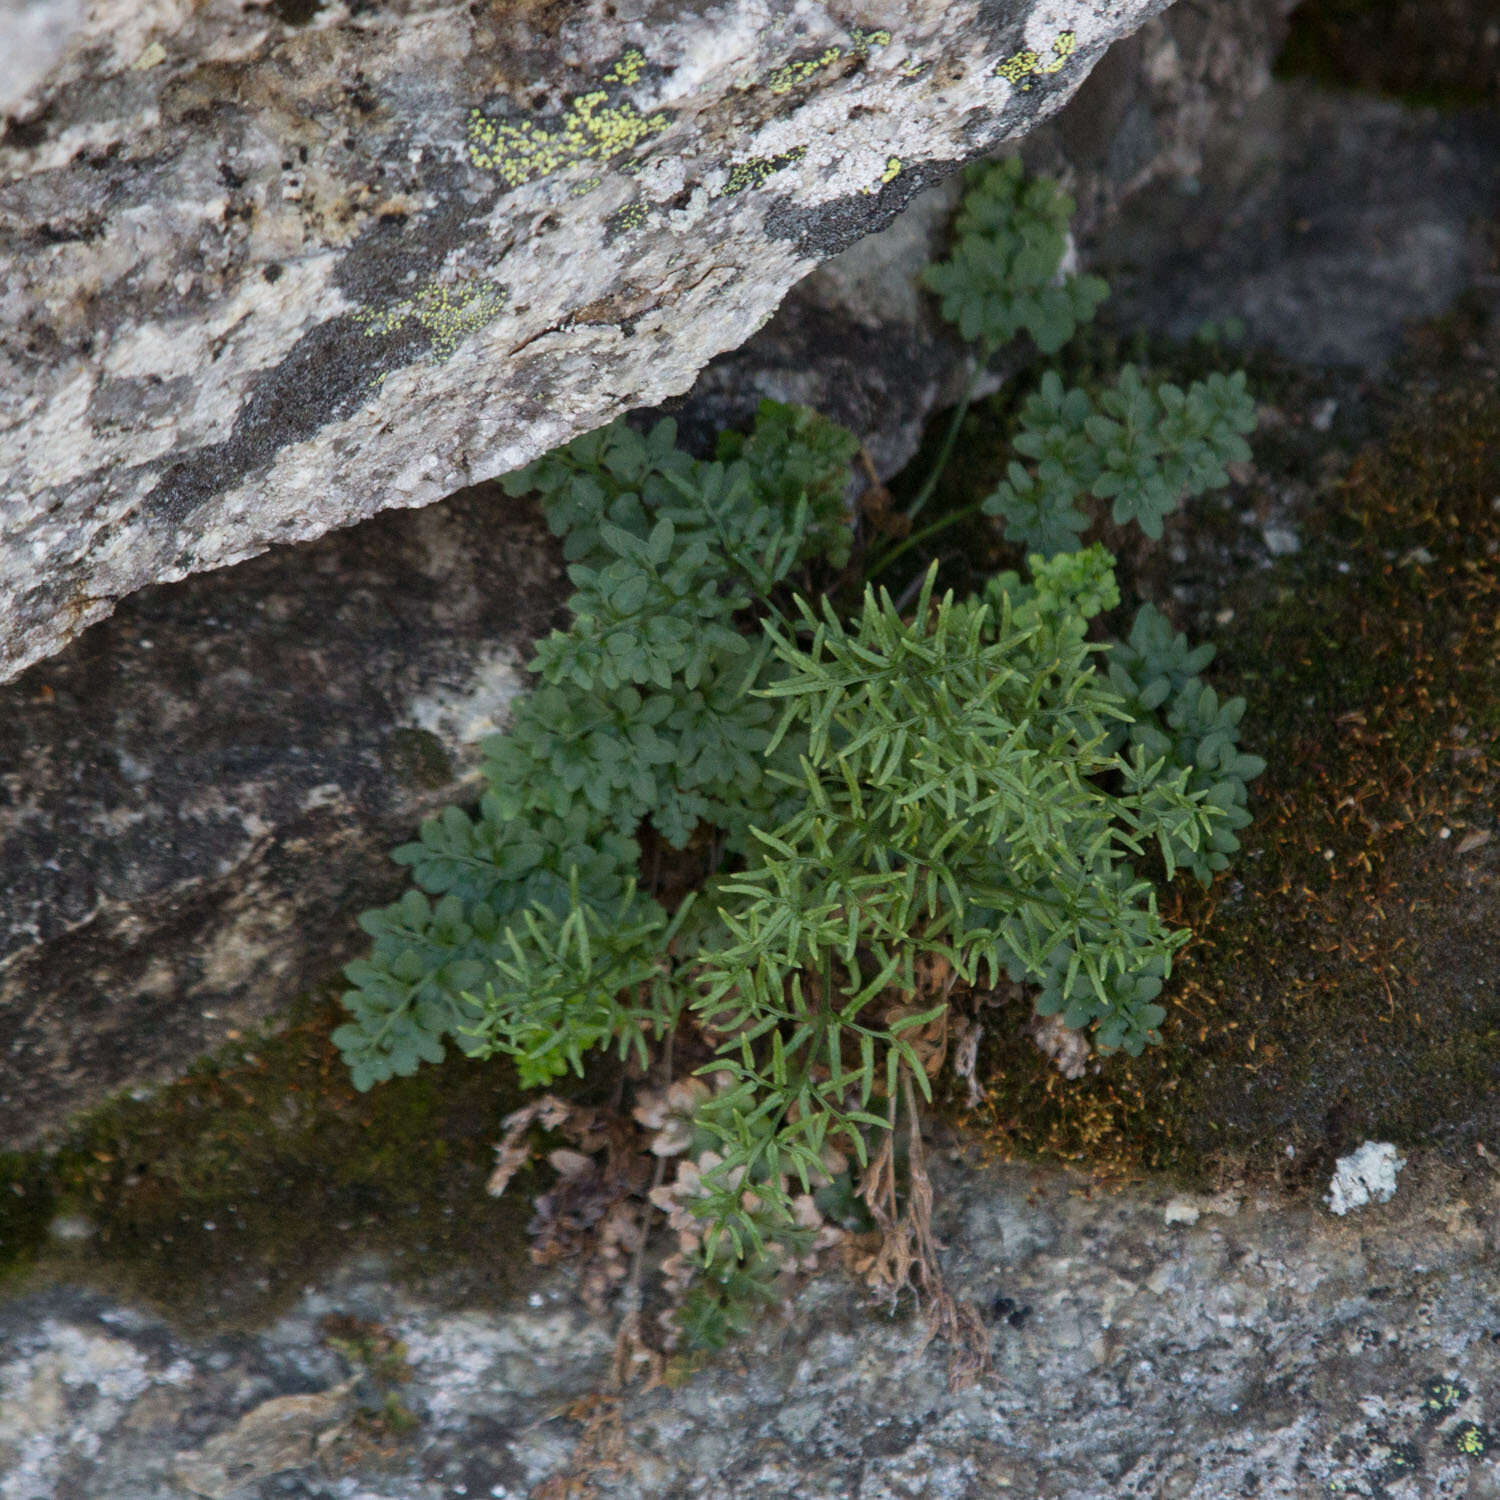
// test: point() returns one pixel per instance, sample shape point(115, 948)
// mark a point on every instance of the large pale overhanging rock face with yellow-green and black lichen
point(272, 271)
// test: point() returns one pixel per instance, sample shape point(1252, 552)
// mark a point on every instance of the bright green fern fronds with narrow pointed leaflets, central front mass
point(953, 800)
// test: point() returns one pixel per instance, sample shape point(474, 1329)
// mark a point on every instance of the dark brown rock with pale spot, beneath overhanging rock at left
point(200, 794)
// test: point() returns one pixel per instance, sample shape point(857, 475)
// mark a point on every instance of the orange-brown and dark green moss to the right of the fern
point(1343, 979)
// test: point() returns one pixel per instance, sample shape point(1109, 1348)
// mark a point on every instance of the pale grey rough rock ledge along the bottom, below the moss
point(1255, 1348)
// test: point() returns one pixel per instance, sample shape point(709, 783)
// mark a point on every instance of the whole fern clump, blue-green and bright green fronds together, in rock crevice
point(980, 781)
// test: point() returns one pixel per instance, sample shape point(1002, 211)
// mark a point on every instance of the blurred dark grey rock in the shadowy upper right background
point(1325, 223)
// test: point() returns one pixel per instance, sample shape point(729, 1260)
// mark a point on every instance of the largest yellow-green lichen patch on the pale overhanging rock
point(593, 128)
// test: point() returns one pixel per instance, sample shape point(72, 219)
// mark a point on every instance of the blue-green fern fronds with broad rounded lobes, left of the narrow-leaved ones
point(644, 712)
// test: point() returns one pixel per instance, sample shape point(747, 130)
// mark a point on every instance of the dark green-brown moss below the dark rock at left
point(220, 1196)
